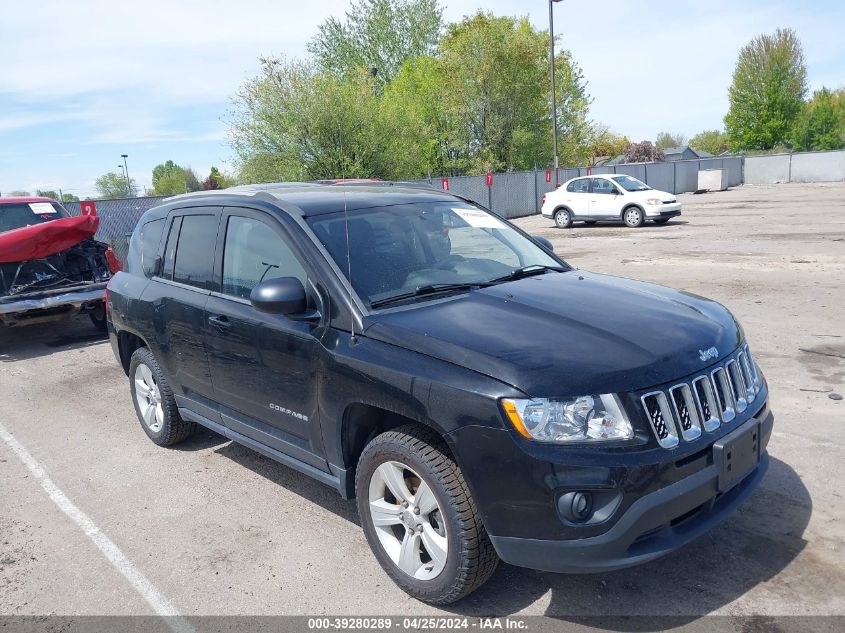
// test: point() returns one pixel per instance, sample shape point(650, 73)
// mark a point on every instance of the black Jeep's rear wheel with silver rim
point(154, 402)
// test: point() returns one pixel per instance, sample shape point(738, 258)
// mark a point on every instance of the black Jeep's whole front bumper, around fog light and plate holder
point(666, 497)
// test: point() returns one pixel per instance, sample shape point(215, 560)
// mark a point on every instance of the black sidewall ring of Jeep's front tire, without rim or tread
point(417, 588)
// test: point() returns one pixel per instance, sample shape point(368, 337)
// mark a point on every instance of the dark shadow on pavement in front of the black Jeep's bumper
point(750, 547)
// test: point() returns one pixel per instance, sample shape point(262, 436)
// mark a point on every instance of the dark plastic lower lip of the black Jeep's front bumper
point(653, 526)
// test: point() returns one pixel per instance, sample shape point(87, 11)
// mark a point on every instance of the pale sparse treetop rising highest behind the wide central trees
point(378, 34)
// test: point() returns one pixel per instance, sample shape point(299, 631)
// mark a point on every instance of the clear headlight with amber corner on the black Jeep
point(583, 419)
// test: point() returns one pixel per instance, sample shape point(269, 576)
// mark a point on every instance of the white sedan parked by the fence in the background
point(611, 197)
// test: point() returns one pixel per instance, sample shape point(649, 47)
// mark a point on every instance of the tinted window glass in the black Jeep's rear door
point(194, 262)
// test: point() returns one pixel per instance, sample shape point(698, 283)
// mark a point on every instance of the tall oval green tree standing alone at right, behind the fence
point(767, 93)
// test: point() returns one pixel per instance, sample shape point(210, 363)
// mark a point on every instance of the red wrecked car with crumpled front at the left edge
point(50, 265)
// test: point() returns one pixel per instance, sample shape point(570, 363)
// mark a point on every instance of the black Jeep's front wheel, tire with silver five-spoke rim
point(419, 518)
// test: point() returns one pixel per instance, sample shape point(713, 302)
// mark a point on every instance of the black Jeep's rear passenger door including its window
point(178, 297)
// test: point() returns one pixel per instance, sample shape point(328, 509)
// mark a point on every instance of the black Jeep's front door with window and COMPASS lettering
point(263, 366)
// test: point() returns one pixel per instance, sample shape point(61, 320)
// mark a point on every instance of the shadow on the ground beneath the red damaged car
point(41, 339)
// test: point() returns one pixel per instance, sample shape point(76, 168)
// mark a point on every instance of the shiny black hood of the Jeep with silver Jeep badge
point(566, 334)
